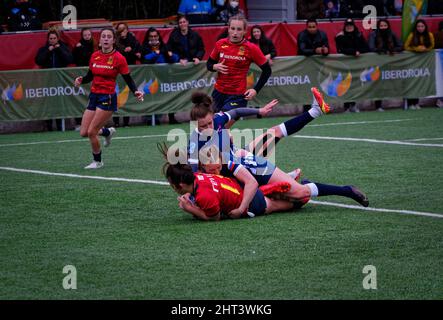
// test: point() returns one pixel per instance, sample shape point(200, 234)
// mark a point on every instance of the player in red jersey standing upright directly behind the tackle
point(231, 58)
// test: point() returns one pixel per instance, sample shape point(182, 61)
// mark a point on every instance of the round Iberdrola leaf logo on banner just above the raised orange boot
point(335, 79)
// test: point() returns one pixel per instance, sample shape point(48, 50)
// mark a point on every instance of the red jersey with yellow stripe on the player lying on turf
point(216, 194)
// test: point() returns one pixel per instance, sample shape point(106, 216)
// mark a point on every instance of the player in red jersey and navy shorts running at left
point(104, 67)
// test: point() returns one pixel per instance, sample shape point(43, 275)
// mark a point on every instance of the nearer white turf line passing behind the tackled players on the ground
point(162, 183)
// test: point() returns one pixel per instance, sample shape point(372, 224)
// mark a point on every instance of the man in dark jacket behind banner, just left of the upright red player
point(185, 42)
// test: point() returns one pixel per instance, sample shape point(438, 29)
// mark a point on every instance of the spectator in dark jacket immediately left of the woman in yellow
point(384, 41)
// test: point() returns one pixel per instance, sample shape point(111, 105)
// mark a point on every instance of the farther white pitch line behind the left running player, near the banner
point(165, 135)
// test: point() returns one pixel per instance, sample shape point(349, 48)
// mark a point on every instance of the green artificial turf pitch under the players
point(129, 240)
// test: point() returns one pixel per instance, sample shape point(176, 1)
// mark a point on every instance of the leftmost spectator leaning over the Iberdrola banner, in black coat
point(55, 54)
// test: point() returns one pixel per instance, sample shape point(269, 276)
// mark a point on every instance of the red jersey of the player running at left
point(106, 67)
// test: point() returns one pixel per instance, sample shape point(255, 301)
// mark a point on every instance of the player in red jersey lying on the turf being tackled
point(214, 197)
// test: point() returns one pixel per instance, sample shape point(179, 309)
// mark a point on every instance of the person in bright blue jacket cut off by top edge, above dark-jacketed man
point(197, 11)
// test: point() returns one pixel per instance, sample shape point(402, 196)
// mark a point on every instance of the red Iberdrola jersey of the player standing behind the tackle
point(238, 58)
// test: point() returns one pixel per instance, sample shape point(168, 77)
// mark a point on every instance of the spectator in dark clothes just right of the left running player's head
point(128, 45)
